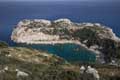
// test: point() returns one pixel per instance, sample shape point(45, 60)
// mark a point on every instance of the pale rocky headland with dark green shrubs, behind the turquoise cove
point(93, 36)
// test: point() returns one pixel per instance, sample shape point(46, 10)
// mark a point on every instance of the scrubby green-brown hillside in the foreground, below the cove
point(18, 63)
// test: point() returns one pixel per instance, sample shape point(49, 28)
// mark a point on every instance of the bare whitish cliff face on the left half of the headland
point(34, 37)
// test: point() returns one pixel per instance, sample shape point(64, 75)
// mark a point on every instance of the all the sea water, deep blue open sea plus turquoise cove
point(106, 13)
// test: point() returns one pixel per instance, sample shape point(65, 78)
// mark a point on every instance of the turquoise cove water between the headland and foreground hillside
point(70, 52)
